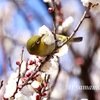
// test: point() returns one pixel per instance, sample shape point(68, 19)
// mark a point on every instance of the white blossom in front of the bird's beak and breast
point(49, 37)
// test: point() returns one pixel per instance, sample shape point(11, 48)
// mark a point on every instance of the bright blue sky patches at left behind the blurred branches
point(39, 11)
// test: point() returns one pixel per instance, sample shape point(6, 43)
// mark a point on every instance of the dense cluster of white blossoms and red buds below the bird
point(27, 92)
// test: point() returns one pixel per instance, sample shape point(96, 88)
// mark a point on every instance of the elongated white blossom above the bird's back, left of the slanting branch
point(67, 23)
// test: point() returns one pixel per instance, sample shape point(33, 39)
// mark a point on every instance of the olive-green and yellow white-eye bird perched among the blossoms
point(37, 46)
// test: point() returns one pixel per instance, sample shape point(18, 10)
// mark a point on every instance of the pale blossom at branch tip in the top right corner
point(95, 4)
